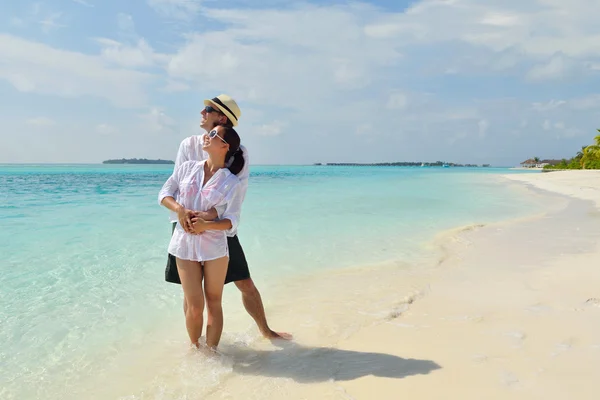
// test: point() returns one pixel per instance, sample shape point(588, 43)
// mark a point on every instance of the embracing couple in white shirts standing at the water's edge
point(205, 195)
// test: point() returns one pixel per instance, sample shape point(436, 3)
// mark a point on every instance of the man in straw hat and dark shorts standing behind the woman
point(222, 110)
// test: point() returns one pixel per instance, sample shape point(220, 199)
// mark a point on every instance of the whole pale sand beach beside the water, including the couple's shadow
point(512, 313)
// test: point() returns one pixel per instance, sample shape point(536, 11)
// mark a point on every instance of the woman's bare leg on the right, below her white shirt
point(214, 280)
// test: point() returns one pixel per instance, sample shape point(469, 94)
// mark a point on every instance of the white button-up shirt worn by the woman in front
point(222, 190)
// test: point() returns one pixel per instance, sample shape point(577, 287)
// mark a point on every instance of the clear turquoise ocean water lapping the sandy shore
point(84, 248)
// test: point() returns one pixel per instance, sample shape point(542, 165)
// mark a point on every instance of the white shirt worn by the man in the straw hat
point(191, 149)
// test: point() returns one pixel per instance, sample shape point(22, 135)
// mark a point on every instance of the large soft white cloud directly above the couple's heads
point(268, 55)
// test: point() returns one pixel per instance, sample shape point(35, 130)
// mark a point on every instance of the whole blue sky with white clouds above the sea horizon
point(467, 81)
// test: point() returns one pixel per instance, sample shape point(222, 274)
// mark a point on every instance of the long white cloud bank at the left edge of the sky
point(39, 68)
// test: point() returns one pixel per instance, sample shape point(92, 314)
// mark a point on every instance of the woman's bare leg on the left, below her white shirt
point(190, 273)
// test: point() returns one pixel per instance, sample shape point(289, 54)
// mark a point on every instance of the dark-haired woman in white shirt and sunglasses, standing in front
point(202, 256)
